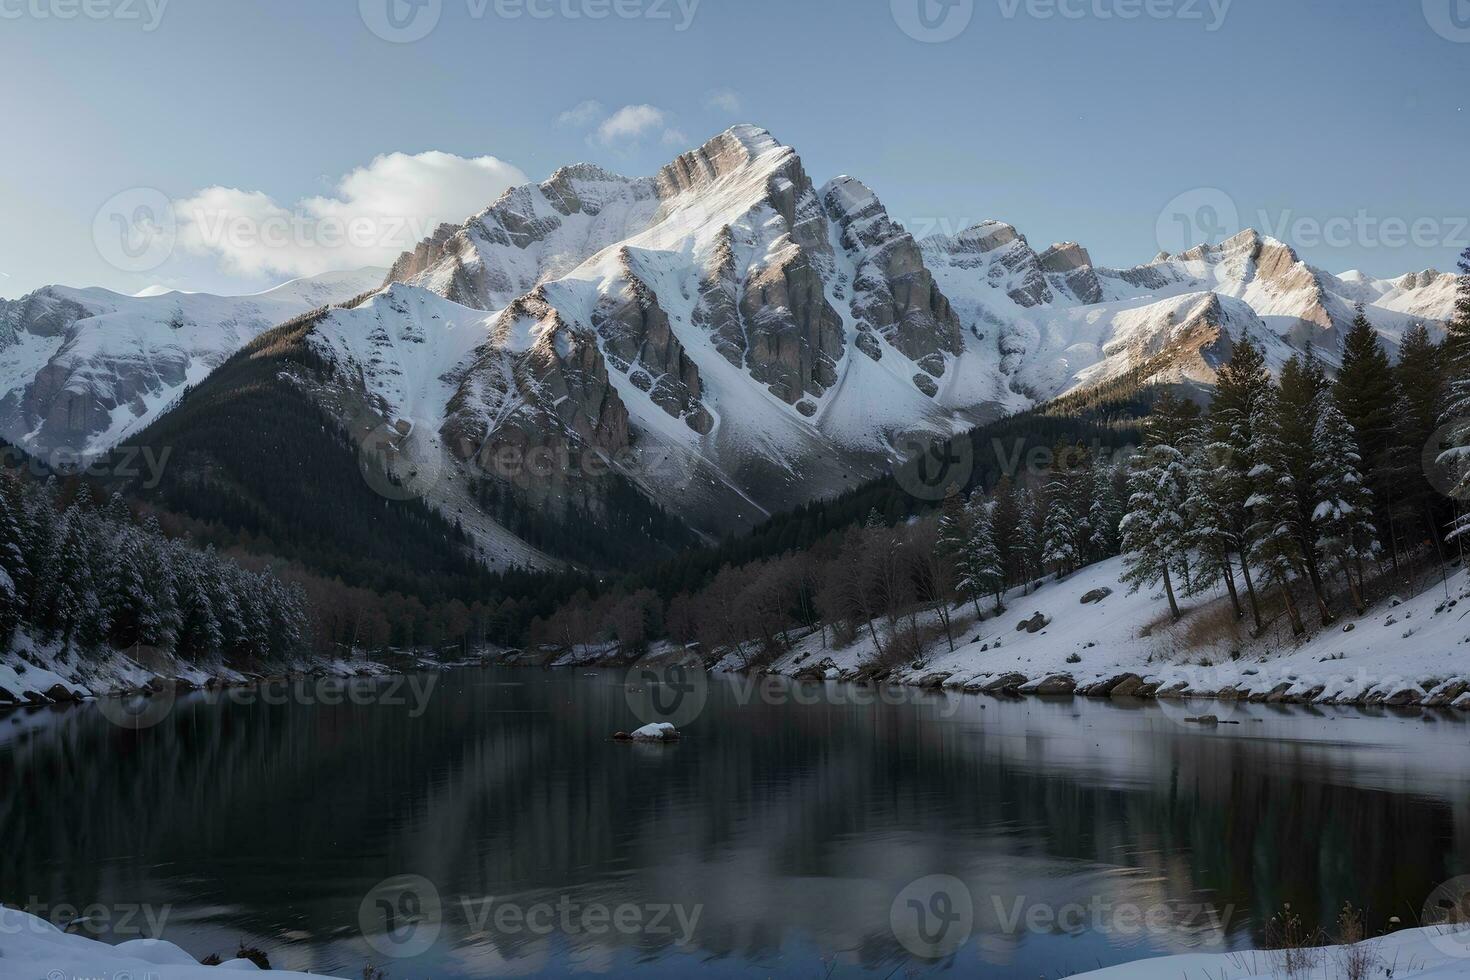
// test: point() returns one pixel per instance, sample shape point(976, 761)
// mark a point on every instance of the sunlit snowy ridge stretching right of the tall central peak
point(1053, 323)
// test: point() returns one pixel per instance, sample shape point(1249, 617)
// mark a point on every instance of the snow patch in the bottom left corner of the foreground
point(32, 947)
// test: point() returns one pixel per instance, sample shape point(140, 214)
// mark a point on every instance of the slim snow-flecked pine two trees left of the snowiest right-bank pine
point(1275, 544)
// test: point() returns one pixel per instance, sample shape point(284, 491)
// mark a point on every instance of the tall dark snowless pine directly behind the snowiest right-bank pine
point(1368, 396)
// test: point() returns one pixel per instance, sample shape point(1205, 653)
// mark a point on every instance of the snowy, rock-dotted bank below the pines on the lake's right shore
point(1413, 653)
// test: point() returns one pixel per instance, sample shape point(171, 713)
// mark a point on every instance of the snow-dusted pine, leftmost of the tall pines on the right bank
point(1155, 528)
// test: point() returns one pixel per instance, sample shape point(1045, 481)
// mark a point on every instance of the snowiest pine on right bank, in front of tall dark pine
point(1344, 511)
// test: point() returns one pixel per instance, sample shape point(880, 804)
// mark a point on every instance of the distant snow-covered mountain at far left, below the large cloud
point(83, 368)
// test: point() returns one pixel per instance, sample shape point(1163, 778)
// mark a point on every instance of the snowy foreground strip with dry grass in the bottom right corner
point(1424, 953)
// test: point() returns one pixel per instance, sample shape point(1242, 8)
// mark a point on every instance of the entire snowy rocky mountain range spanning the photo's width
point(728, 336)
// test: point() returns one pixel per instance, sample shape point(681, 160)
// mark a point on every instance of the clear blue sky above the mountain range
point(1072, 123)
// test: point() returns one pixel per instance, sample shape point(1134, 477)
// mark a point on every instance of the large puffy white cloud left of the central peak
point(377, 212)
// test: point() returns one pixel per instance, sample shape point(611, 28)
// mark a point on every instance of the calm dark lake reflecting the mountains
point(487, 826)
